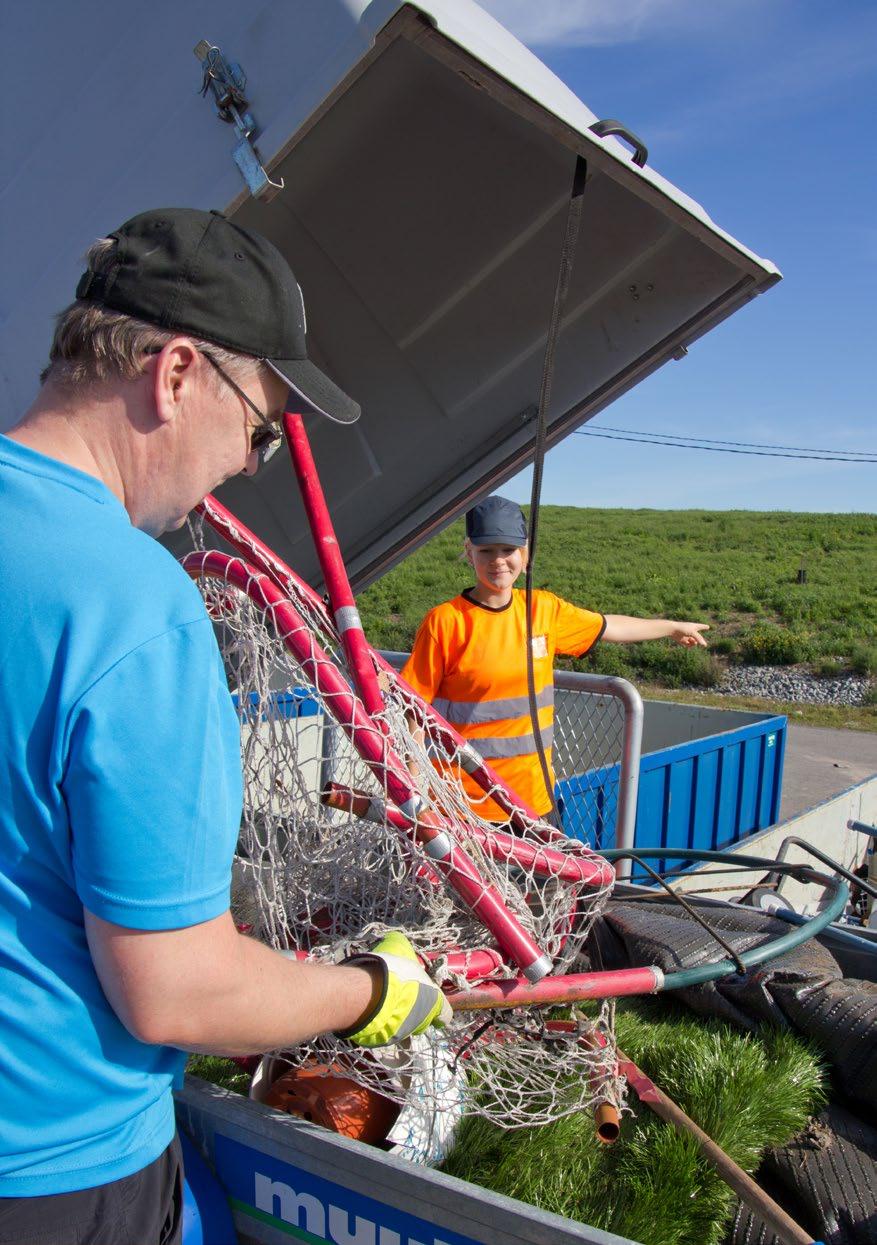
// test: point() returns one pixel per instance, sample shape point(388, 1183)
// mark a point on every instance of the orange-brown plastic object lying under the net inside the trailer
point(320, 1092)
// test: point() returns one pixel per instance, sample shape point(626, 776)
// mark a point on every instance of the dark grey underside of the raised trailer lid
point(424, 214)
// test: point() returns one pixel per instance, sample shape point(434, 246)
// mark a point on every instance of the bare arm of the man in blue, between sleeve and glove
point(210, 989)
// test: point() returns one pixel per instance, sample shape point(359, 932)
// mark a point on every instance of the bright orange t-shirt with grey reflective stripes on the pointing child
point(470, 663)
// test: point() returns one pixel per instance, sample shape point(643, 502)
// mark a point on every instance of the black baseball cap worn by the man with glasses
point(196, 272)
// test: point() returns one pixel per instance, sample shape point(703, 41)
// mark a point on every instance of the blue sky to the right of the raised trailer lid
point(764, 111)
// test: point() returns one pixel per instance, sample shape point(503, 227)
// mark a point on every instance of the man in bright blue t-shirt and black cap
point(120, 790)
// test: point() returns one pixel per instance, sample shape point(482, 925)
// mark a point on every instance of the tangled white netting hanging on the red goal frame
point(332, 881)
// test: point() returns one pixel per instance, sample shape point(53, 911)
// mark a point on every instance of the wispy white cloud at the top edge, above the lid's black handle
point(591, 23)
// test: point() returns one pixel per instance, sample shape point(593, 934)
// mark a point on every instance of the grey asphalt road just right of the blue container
point(822, 763)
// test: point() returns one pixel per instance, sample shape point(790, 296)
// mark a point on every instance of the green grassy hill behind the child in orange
point(736, 570)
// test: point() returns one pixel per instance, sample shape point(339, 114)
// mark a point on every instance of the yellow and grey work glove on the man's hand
point(410, 1000)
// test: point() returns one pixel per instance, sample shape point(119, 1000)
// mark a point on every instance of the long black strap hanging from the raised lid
point(567, 256)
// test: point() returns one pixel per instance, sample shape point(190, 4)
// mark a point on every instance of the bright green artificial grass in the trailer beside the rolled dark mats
point(748, 1092)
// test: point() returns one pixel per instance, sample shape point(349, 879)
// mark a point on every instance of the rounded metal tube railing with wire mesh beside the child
point(599, 733)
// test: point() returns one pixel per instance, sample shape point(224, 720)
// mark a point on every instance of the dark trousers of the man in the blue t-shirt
point(141, 1210)
